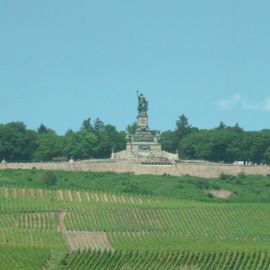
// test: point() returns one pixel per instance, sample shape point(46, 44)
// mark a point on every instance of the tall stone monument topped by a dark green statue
point(143, 145)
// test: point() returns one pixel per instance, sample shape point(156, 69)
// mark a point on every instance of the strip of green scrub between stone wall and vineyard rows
point(245, 188)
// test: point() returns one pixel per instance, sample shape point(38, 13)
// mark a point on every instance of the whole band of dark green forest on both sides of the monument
point(95, 139)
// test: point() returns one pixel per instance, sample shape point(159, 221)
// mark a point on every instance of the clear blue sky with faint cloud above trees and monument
point(64, 61)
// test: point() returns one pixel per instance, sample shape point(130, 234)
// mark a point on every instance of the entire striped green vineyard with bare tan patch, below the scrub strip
point(68, 229)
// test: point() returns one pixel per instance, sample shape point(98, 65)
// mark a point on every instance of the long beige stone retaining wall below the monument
point(197, 169)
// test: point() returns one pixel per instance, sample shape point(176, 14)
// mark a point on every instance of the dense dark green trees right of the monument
point(223, 143)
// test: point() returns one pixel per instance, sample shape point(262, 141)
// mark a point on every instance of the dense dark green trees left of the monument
point(97, 140)
